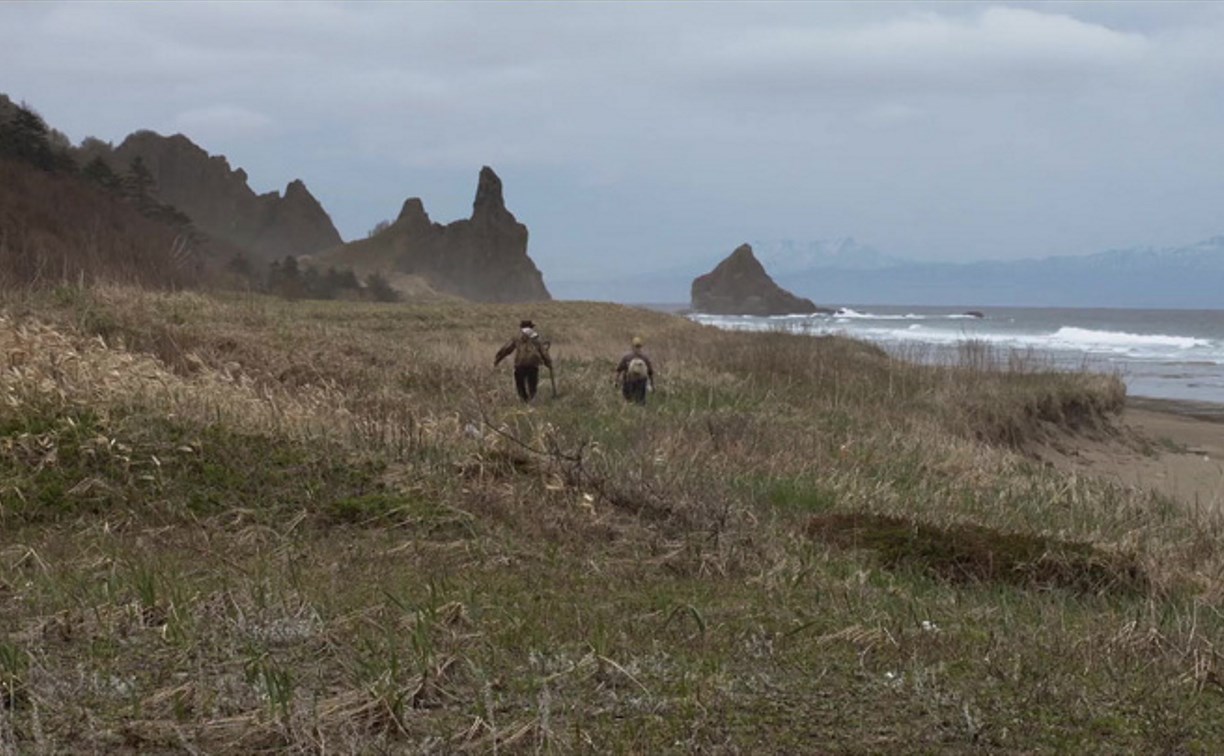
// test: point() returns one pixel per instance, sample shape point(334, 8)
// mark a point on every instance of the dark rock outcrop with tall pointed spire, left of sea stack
point(483, 259)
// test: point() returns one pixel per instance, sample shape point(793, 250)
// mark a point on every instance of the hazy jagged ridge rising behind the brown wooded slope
point(222, 205)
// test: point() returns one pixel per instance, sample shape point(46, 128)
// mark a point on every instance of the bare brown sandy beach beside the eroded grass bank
point(1176, 448)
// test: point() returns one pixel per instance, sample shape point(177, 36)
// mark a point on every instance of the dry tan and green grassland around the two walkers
point(233, 524)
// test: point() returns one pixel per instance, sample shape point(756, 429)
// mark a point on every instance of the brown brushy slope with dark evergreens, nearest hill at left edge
point(64, 222)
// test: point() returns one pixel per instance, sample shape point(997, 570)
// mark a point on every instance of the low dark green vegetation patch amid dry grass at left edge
point(78, 463)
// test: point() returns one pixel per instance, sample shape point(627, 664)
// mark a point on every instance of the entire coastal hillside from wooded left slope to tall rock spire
point(203, 220)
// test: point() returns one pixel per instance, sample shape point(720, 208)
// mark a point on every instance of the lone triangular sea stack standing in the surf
point(740, 286)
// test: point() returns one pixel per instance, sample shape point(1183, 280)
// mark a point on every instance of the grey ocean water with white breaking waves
point(1168, 354)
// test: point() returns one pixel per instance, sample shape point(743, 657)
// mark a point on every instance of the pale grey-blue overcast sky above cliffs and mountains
point(638, 136)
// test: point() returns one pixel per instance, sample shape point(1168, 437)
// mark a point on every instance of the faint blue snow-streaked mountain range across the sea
point(841, 272)
